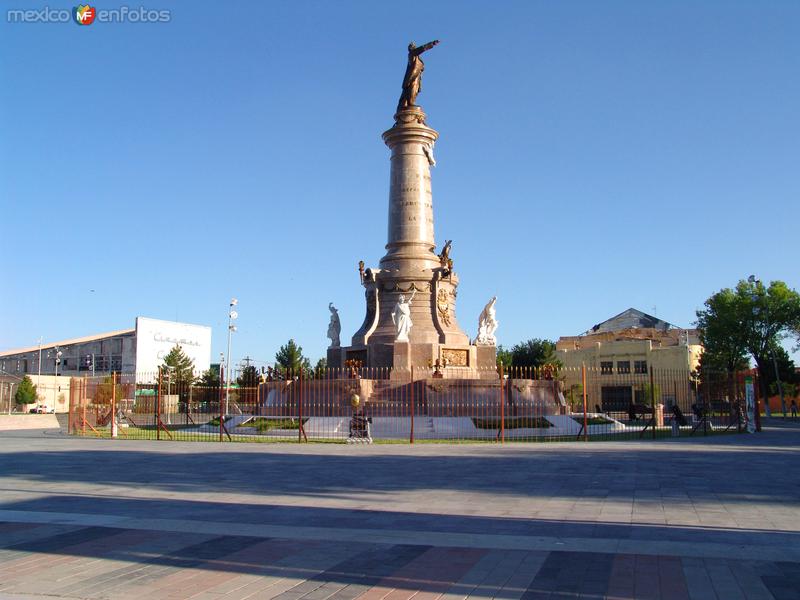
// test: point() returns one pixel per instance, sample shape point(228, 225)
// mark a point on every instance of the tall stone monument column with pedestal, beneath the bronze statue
point(411, 266)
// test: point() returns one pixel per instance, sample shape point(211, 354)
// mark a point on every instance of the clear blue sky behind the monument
point(593, 156)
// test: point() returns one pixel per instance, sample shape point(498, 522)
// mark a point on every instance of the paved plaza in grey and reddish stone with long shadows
point(689, 518)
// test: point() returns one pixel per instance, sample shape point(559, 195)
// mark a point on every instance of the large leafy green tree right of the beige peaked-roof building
point(750, 319)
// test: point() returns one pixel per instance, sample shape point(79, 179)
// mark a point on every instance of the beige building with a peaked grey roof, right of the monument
point(619, 355)
